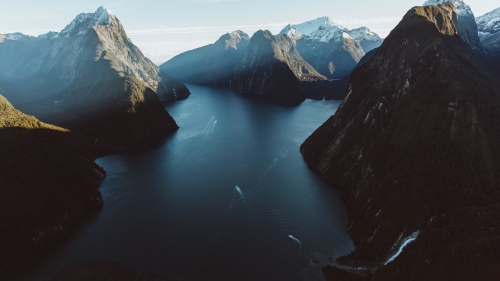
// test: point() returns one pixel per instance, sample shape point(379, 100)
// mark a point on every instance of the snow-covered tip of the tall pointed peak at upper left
point(85, 21)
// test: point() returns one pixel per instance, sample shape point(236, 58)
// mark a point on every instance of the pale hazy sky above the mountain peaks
point(165, 28)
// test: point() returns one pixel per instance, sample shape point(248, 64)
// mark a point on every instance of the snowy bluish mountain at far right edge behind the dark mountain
point(489, 31)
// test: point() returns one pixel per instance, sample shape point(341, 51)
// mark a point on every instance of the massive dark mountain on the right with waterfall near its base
point(414, 148)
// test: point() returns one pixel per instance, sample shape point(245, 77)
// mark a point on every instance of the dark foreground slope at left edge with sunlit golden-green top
point(46, 183)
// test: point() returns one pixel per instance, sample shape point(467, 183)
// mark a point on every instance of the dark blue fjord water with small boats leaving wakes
point(227, 197)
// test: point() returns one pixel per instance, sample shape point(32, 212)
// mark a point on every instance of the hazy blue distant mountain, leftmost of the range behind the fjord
point(212, 64)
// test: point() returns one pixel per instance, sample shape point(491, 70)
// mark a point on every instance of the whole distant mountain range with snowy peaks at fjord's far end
point(318, 53)
